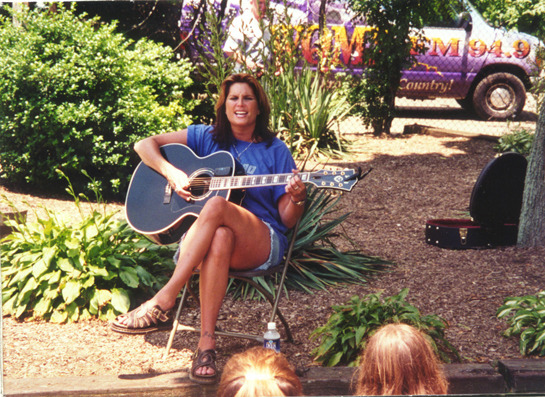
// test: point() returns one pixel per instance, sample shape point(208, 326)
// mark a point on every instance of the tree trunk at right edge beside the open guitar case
point(531, 231)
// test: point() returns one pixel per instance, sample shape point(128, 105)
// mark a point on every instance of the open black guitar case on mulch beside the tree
point(494, 206)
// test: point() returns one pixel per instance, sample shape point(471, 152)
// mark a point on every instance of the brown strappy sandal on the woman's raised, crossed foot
point(142, 321)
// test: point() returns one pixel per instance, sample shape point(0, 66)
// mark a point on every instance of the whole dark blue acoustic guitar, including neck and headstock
point(152, 208)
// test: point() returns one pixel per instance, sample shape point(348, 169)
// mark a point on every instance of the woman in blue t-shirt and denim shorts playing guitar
point(225, 235)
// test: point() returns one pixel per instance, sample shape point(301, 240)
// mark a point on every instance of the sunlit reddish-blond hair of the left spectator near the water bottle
point(259, 372)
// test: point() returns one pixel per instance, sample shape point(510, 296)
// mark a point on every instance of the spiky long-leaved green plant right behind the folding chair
point(316, 262)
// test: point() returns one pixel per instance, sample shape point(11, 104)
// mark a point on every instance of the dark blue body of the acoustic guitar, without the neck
point(155, 210)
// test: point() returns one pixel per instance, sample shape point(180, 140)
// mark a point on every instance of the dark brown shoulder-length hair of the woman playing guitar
point(222, 129)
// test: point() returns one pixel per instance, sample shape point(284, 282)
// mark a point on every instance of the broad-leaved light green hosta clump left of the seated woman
point(64, 273)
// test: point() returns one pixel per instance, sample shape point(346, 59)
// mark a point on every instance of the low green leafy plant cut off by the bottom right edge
point(526, 318)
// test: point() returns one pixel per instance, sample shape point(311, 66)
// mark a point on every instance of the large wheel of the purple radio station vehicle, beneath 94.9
point(499, 96)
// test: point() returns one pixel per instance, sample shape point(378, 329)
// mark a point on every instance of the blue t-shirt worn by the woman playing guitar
point(257, 159)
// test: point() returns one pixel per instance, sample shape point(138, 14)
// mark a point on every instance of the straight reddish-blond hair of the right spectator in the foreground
point(398, 360)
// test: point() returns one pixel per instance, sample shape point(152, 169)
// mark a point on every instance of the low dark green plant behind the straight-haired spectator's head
point(346, 332)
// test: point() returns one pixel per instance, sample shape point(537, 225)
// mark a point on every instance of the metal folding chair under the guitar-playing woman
point(245, 276)
